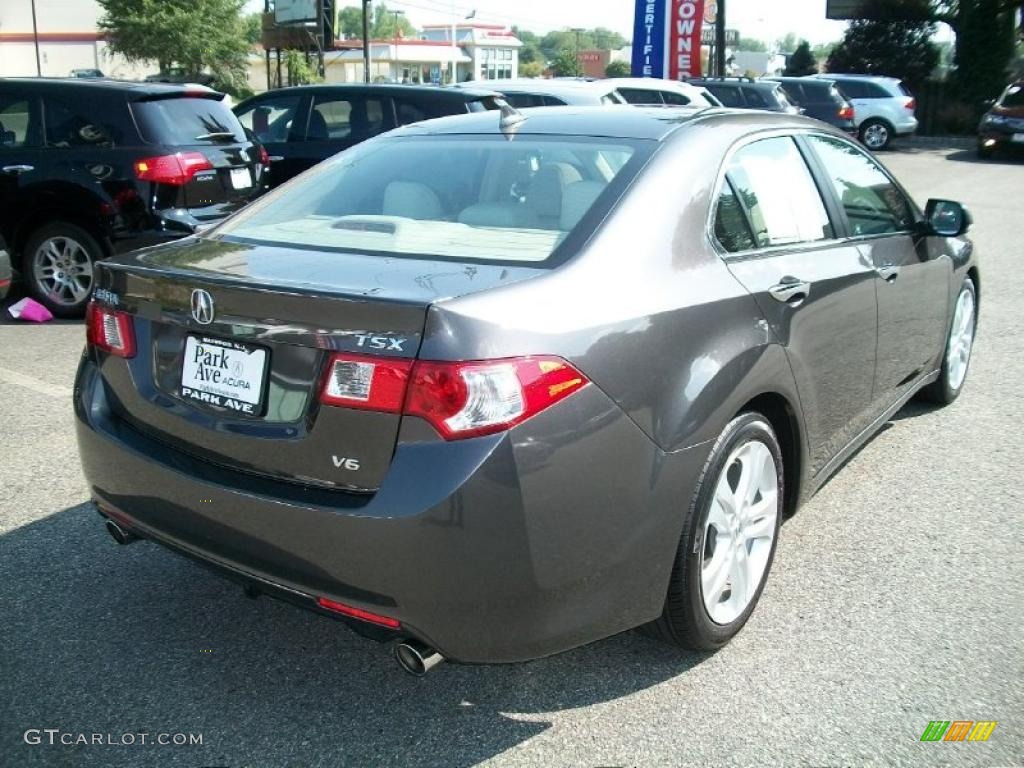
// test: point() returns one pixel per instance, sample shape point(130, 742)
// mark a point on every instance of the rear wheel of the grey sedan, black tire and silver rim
point(729, 542)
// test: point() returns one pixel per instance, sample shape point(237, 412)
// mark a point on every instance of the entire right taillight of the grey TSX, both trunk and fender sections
point(459, 399)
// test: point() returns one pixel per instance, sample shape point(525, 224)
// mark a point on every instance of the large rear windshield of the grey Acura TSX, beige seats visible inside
point(494, 199)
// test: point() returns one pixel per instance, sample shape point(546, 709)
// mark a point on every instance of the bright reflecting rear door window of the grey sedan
point(779, 195)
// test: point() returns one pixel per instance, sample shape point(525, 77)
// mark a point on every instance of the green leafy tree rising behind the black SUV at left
point(196, 35)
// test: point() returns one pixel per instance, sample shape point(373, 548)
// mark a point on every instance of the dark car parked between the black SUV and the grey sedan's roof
point(302, 126)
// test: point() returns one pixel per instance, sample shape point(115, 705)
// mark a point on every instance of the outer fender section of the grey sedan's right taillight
point(472, 399)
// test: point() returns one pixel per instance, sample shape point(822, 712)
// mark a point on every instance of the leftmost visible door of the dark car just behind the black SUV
point(278, 121)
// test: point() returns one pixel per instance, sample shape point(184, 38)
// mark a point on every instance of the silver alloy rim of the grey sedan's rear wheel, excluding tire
point(740, 532)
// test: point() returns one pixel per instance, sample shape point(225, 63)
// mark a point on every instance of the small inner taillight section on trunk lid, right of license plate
point(364, 382)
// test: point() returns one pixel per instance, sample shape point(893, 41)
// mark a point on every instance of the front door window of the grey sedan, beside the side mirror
point(874, 205)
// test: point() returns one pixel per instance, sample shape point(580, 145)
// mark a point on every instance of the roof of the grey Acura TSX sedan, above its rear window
point(618, 121)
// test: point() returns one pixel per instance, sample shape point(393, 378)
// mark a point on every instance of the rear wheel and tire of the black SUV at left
point(59, 268)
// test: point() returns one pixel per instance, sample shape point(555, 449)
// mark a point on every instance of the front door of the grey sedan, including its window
point(913, 282)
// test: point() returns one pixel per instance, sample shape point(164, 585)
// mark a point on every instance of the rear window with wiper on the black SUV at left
point(188, 121)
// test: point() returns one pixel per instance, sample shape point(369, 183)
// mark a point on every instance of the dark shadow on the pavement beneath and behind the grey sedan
point(99, 638)
